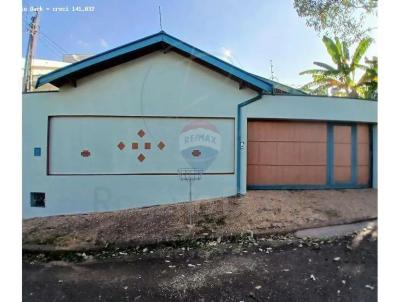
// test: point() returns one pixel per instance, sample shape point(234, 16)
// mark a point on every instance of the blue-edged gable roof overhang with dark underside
point(159, 41)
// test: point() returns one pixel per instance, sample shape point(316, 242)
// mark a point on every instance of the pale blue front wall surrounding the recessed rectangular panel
point(156, 85)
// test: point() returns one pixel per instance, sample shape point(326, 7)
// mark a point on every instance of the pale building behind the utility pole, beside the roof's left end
point(41, 67)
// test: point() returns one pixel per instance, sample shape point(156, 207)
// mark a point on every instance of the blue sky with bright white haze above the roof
point(249, 34)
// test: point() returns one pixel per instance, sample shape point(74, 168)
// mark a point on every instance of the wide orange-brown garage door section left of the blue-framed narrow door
point(286, 153)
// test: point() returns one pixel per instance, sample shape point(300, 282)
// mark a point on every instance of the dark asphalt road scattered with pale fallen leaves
point(308, 271)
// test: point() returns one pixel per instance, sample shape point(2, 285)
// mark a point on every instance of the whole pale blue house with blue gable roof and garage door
point(124, 121)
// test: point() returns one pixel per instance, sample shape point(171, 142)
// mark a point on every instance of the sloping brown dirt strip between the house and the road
point(259, 212)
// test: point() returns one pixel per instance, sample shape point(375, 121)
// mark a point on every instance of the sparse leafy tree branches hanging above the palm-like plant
point(344, 19)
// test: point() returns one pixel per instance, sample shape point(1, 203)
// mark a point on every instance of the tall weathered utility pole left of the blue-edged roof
point(33, 30)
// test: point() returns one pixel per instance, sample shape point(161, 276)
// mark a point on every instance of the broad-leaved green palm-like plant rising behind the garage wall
point(338, 80)
